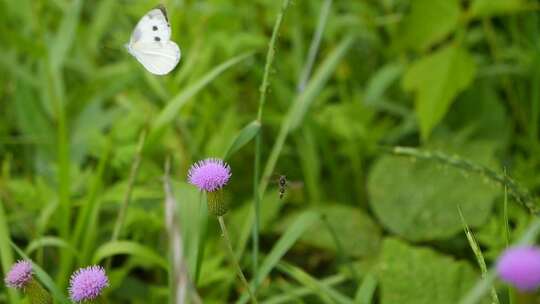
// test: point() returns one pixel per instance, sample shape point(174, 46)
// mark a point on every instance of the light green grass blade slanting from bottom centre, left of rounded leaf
point(287, 240)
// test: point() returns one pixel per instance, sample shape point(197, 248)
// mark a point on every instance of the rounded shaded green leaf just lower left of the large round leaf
point(357, 233)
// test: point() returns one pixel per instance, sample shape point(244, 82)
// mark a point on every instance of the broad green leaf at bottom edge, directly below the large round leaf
point(416, 275)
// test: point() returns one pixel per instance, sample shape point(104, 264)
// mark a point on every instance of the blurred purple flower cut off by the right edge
point(520, 266)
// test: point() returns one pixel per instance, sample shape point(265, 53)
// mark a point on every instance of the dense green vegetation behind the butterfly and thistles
point(357, 225)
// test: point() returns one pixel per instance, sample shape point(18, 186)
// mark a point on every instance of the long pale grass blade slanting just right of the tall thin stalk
point(301, 104)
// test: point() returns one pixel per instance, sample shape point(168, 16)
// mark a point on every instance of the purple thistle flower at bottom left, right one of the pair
point(86, 284)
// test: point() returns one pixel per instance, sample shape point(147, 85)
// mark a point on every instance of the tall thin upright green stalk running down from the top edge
point(258, 139)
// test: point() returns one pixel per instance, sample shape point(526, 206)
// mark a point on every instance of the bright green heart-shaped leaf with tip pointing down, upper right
point(437, 79)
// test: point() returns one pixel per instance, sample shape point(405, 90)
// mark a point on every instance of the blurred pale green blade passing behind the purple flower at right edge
point(477, 293)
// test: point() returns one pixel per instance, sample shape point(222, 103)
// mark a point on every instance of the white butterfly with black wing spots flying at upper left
point(150, 43)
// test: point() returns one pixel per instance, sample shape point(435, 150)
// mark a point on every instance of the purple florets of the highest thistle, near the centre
point(210, 174)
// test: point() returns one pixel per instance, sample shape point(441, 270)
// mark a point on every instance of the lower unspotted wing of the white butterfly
point(157, 57)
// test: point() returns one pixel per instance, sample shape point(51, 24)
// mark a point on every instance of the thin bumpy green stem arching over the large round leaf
point(516, 191)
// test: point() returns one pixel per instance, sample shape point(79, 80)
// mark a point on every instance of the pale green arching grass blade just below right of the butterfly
point(170, 111)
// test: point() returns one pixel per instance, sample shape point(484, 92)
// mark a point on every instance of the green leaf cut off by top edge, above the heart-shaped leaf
point(428, 22)
